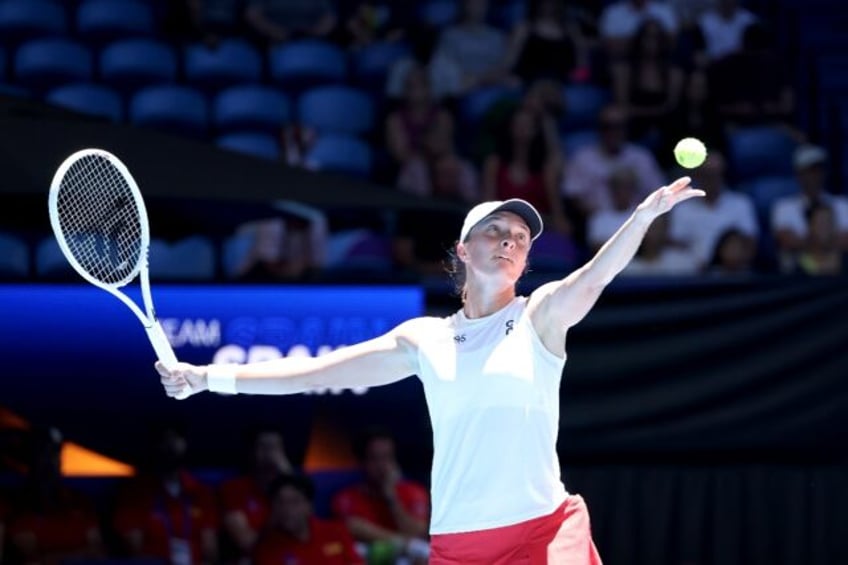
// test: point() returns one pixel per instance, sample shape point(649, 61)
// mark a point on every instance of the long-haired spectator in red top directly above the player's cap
point(525, 166)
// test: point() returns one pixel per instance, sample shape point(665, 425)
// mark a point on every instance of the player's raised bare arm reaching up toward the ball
point(561, 304)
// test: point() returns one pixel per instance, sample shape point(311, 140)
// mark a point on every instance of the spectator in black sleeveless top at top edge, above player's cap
point(548, 45)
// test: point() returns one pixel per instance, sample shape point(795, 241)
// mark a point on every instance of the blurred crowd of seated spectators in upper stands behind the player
point(671, 70)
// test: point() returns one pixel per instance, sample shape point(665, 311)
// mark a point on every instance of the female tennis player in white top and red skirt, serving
point(491, 374)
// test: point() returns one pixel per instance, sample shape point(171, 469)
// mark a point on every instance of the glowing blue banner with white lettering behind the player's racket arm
point(77, 356)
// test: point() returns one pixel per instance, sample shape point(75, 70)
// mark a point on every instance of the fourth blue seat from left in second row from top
point(305, 63)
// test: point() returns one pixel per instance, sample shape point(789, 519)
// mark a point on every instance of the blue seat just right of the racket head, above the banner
point(190, 258)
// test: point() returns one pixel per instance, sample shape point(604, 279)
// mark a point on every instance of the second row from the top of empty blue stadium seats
point(127, 64)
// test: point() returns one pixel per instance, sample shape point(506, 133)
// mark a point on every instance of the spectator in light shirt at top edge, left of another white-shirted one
point(621, 19)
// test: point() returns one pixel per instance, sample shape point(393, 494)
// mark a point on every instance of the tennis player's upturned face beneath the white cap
point(498, 246)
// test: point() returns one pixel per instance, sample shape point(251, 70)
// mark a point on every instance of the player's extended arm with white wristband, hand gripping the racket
point(378, 361)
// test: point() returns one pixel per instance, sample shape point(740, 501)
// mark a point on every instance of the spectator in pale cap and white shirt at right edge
point(789, 219)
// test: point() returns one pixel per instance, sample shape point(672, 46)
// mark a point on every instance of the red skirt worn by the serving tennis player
point(563, 537)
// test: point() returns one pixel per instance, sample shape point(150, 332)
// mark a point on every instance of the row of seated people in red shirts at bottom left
point(266, 511)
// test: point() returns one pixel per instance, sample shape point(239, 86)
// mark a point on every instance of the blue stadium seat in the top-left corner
point(22, 20)
